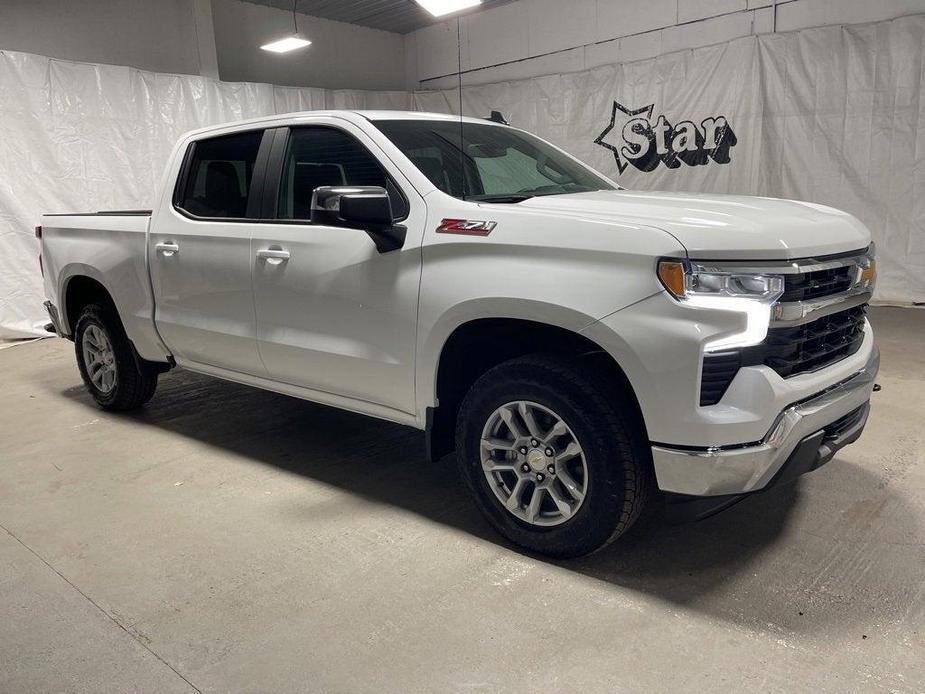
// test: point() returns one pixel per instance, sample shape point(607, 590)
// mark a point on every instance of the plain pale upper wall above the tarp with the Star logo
point(530, 38)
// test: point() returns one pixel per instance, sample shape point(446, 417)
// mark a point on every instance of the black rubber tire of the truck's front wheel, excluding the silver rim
point(617, 458)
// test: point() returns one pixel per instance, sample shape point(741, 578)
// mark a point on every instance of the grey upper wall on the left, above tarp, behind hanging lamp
point(219, 39)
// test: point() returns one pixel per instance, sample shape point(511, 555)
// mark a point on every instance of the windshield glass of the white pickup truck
point(496, 163)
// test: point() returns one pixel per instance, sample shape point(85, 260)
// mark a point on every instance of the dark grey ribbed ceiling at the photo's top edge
point(400, 16)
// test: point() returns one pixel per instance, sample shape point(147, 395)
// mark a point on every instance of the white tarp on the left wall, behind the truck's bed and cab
point(77, 136)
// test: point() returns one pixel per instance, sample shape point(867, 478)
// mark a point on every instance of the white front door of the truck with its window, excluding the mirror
point(333, 313)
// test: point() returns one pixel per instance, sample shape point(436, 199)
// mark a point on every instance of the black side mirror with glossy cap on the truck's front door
point(359, 207)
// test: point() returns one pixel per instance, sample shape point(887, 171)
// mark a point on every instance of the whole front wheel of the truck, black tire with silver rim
point(555, 463)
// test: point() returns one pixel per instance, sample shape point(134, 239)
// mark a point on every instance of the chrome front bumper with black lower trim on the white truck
point(804, 436)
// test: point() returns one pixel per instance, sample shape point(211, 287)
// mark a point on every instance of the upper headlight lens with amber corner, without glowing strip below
point(685, 280)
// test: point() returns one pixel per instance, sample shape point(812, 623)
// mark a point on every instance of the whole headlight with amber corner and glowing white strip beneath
point(749, 294)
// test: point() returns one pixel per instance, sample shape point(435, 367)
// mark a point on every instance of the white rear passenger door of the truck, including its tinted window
point(200, 254)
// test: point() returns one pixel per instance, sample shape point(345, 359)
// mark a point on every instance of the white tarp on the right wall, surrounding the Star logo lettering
point(834, 115)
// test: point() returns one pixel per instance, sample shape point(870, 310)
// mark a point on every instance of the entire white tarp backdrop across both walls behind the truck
point(834, 115)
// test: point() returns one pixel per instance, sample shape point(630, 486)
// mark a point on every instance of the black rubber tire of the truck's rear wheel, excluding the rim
point(135, 383)
